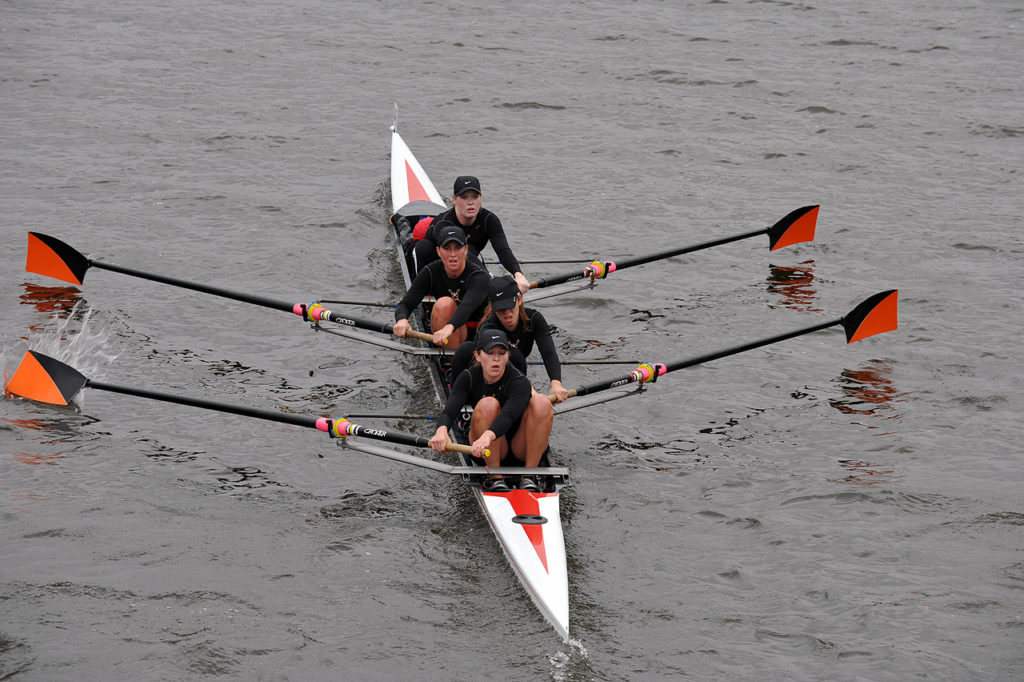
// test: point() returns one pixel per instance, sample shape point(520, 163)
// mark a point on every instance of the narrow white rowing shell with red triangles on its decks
point(527, 525)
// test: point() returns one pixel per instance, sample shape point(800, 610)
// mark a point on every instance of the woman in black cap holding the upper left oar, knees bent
point(458, 285)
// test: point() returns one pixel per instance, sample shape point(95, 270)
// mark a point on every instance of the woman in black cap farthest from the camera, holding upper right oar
point(481, 225)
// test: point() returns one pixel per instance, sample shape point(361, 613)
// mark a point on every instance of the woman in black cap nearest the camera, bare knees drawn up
point(508, 416)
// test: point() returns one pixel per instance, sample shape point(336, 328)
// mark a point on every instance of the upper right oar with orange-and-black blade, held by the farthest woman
point(796, 228)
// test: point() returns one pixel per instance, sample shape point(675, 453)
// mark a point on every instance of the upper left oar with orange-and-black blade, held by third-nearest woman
point(52, 258)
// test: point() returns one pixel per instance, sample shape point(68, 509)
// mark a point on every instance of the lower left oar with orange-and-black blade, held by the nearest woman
point(42, 378)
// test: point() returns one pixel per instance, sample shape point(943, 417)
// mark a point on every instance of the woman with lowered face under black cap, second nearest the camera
point(524, 327)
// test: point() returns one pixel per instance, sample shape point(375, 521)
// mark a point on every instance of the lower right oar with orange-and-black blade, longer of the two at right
point(874, 316)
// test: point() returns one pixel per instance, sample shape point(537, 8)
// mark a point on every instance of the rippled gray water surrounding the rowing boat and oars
point(809, 511)
